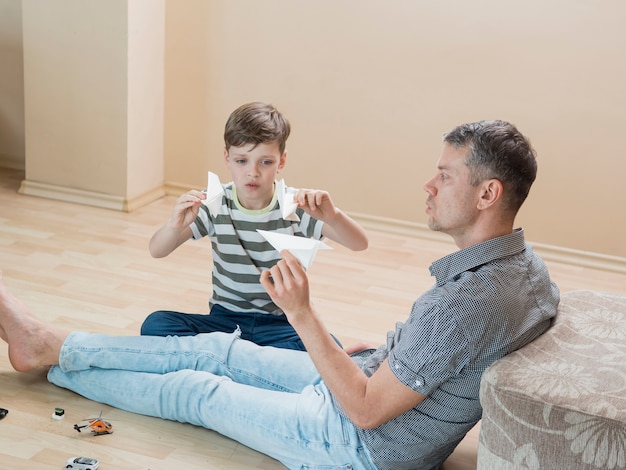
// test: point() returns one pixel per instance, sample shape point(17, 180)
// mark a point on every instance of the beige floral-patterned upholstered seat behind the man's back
point(560, 401)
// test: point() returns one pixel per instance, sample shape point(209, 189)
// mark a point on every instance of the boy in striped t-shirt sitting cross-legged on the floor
point(255, 138)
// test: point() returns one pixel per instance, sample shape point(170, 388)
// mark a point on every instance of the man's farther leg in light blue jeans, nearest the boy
point(222, 354)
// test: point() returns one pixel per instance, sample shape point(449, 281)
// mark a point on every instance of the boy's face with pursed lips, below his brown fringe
point(254, 171)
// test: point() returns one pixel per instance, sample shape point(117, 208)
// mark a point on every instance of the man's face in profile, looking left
point(452, 202)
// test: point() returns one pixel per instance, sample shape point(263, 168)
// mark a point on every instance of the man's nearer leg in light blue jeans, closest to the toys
point(297, 429)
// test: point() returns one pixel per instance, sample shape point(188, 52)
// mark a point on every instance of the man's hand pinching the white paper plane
point(288, 286)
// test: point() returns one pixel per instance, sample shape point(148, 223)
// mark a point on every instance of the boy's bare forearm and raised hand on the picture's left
point(176, 230)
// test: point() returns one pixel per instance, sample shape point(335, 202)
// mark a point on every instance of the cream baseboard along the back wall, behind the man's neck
point(557, 254)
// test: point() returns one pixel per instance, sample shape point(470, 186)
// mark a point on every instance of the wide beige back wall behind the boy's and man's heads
point(370, 87)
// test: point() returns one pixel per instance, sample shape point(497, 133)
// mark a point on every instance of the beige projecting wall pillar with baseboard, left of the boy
point(94, 100)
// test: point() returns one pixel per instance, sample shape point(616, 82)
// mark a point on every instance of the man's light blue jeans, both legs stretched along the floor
point(272, 400)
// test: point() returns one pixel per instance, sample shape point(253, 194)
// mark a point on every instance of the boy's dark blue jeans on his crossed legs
point(260, 328)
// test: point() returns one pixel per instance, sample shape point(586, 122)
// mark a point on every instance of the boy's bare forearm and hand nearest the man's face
point(338, 226)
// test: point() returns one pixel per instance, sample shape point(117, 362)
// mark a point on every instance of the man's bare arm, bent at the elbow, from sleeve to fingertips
point(368, 401)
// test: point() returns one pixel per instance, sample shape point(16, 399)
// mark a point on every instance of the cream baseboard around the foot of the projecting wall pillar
point(90, 198)
